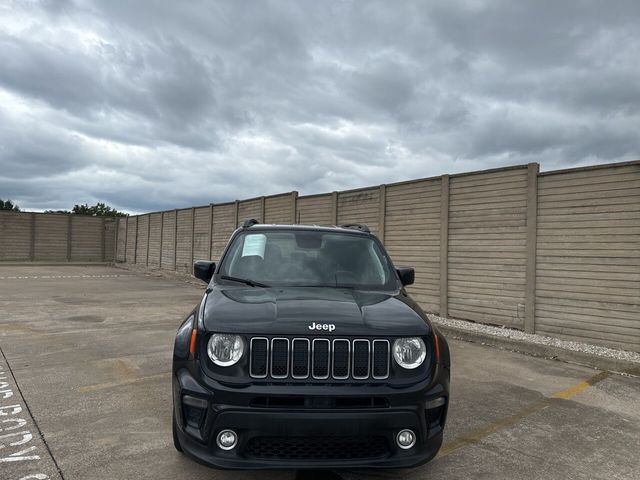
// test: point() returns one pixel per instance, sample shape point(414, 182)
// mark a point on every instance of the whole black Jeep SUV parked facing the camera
point(307, 352)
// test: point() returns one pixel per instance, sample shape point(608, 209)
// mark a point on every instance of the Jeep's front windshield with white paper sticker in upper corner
point(310, 259)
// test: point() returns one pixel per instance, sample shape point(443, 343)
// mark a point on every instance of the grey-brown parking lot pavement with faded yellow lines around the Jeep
point(85, 393)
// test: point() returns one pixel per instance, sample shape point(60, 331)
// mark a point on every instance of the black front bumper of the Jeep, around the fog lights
point(318, 437)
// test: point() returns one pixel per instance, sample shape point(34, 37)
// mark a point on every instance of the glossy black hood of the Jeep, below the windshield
point(292, 310)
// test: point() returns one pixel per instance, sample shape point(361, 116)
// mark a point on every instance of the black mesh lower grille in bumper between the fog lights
point(317, 448)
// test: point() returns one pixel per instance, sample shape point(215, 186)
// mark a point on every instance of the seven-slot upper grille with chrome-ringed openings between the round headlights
point(319, 359)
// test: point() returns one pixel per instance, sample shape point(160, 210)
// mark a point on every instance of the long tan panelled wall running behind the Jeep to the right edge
point(554, 252)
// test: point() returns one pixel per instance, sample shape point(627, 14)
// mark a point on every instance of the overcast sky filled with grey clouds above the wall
point(163, 104)
